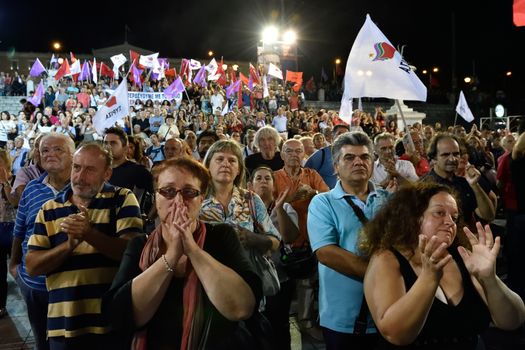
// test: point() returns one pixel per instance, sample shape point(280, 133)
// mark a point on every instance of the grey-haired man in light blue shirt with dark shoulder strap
point(333, 228)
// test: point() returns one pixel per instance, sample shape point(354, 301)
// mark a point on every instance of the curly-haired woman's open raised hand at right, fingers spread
point(481, 261)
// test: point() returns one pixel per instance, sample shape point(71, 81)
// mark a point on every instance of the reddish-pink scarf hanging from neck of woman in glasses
point(192, 320)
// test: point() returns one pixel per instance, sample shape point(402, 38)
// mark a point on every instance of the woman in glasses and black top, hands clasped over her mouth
point(189, 283)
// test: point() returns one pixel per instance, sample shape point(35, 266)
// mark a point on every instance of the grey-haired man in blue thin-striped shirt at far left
point(56, 154)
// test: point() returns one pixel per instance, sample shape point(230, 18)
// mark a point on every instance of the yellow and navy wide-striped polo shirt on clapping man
point(77, 286)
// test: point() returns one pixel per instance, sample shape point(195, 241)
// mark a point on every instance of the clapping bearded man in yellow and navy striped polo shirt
point(77, 243)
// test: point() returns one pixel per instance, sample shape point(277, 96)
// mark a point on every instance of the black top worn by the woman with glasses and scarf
point(164, 330)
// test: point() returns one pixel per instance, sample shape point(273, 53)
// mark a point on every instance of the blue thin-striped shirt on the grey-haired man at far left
point(36, 193)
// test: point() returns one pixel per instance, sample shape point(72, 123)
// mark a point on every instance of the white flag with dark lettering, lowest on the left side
point(115, 109)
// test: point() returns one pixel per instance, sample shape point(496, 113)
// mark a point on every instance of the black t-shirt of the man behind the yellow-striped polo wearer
point(131, 175)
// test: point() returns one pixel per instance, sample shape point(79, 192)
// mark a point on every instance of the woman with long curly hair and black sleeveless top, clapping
point(426, 286)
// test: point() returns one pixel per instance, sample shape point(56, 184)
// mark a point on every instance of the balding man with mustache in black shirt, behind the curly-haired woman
point(444, 150)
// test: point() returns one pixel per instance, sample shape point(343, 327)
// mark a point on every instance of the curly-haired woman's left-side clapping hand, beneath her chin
point(434, 255)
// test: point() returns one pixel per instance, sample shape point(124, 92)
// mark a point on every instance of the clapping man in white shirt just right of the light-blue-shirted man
point(387, 167)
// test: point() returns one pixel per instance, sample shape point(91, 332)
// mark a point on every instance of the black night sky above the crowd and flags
point(485, 35)
